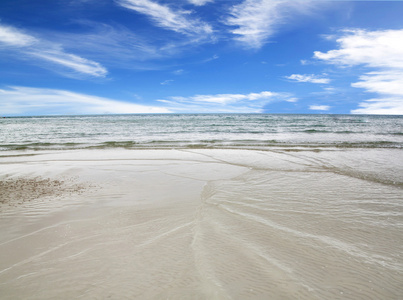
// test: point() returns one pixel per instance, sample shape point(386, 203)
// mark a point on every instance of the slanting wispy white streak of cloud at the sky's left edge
point(27, 45)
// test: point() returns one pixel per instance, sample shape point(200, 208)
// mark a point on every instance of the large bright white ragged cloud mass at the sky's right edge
point(381, 51)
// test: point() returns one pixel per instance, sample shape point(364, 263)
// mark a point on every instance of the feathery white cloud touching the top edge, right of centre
point(257, 20)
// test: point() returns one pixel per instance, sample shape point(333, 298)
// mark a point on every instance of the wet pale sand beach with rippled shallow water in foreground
point(201, 224)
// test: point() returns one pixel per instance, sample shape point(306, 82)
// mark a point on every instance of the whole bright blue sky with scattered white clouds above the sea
point(68, 57)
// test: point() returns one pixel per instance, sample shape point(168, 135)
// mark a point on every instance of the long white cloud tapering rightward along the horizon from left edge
point(33, 101)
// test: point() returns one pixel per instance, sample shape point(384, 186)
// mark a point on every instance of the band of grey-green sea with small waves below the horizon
point(247, 131)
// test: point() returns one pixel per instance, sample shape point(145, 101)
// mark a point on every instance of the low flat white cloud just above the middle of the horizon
point(226, 103)
